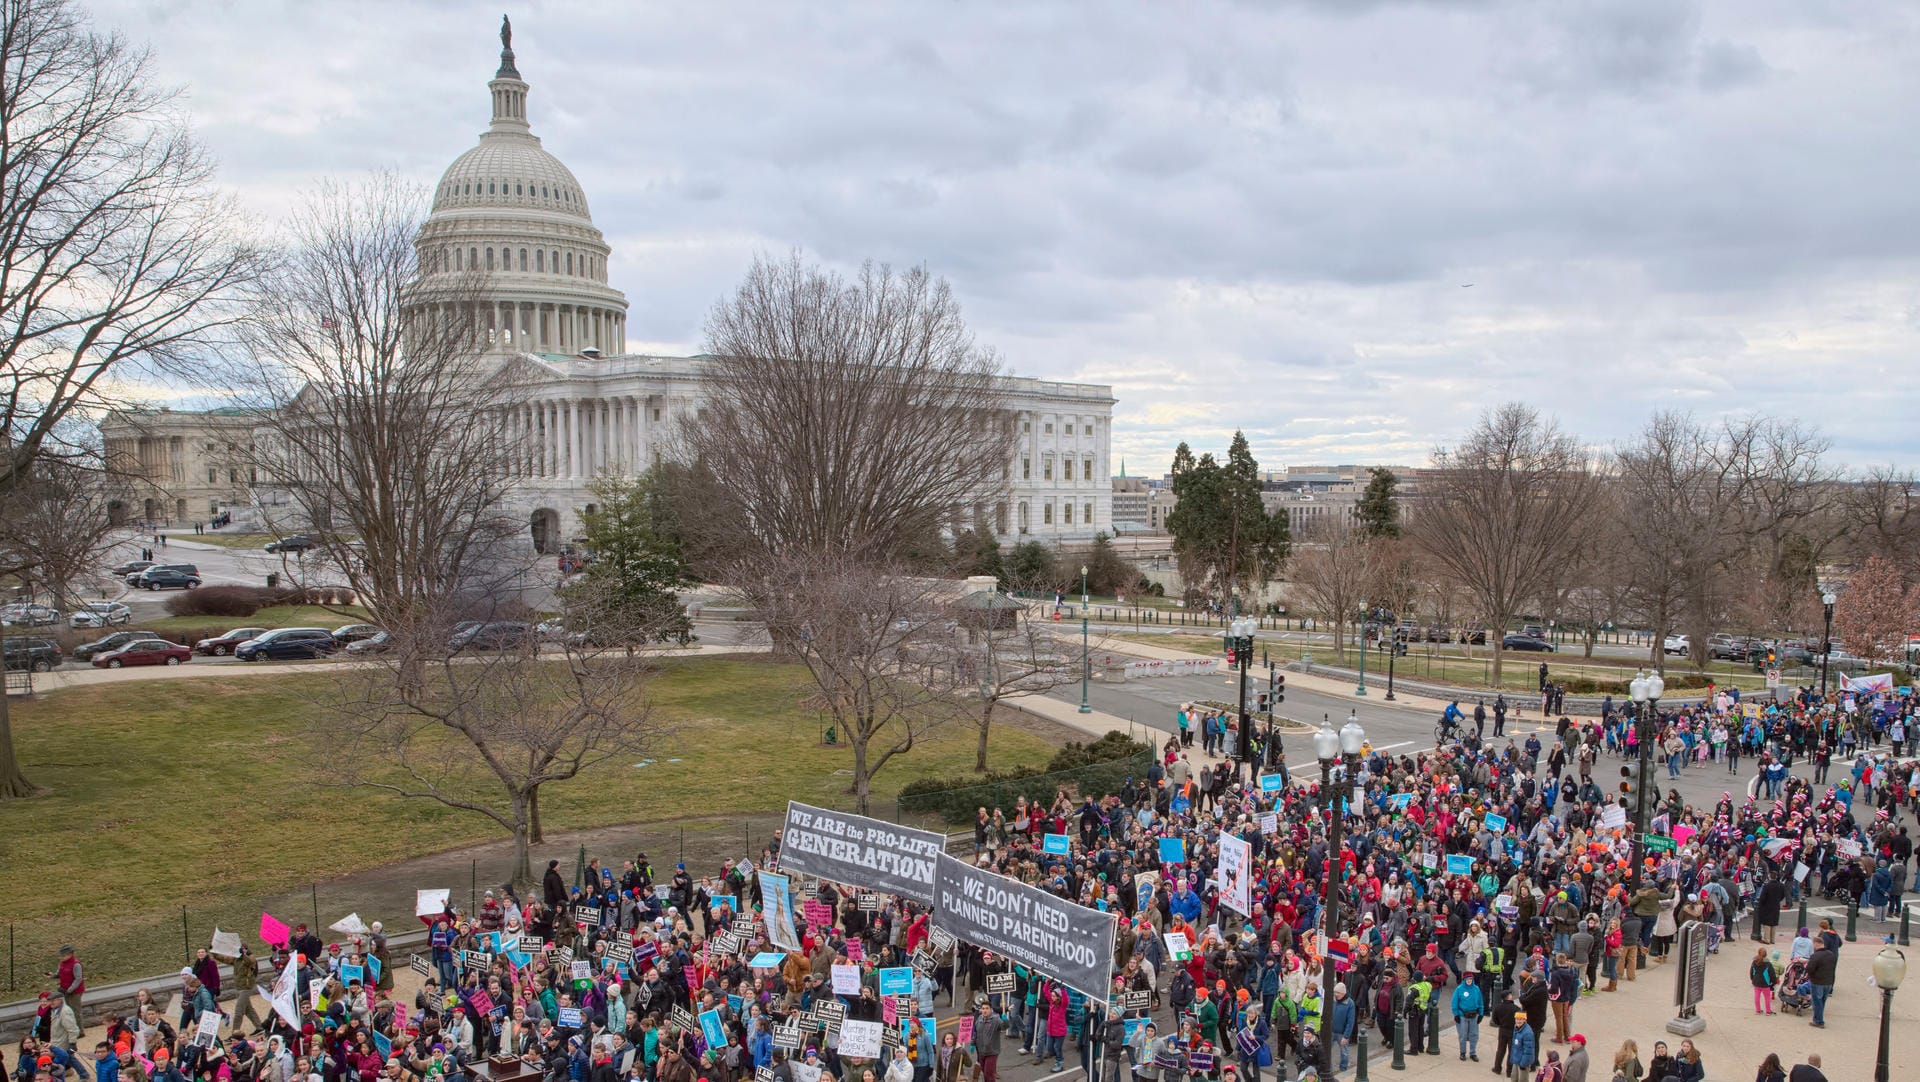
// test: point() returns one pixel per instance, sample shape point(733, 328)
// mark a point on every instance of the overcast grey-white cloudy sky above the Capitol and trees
point(1343, 225)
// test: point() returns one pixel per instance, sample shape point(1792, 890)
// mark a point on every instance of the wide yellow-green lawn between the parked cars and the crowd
point(204, 801)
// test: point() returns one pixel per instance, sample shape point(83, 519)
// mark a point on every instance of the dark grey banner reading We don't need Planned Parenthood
point(1070, 943)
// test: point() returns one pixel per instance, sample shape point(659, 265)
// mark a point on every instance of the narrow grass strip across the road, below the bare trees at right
point(1520, 674)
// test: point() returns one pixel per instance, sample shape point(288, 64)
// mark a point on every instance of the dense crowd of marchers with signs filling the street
point(617, 976)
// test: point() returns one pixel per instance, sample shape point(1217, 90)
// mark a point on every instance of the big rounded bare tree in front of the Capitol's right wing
point(850, 417)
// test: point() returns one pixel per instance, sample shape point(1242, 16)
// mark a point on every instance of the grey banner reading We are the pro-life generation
point(853, 849)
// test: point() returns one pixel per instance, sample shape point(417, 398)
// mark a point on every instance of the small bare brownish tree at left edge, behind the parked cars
point(57, 525)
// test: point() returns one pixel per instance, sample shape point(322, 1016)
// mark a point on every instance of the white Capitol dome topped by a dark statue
point(512, 225)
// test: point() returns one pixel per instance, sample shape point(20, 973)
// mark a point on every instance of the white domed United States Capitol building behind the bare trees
point(514, 212)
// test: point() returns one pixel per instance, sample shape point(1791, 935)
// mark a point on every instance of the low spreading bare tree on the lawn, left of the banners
point(487, 732)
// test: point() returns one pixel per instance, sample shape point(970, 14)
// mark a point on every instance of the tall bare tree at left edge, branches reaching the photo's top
point(116, 243)
